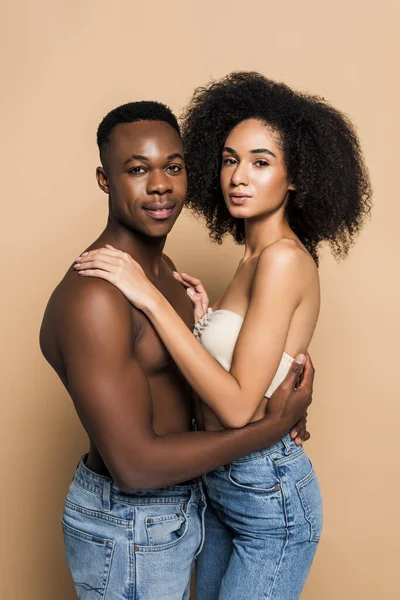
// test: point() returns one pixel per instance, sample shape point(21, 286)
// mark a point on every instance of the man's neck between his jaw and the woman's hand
point(147, 251)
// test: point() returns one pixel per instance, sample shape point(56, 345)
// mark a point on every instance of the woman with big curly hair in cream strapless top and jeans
point(281, 172)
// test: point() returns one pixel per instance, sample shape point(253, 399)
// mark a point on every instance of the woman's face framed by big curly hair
point(253, 174)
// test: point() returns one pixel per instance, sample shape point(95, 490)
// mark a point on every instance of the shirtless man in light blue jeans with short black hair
point(133, 516)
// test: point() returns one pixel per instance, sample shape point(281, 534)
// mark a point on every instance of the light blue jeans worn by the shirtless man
point(126, 546)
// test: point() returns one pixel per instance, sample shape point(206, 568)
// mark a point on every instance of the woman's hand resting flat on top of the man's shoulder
point(120, 269)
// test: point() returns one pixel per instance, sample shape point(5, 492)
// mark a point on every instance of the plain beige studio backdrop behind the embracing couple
point(64, 65)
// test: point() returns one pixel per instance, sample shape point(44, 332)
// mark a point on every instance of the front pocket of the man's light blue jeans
point(165, 526)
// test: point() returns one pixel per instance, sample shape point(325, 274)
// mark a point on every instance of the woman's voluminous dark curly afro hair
point(320, 148)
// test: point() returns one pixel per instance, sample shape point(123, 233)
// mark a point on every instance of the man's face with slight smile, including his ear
point(144, 175)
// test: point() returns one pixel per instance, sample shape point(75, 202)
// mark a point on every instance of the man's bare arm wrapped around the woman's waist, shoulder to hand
point(113, 400)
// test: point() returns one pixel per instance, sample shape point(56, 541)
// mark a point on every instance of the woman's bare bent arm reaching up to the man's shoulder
point(235, 395)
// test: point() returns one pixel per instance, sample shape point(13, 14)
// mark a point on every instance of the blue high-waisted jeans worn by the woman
point(263, 524)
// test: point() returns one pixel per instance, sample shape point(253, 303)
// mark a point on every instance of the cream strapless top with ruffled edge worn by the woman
point(218, 332)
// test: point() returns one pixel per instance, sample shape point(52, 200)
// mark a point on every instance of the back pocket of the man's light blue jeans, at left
point(89, 559)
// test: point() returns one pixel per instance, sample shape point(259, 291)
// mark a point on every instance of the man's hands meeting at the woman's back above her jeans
point(293, 397)
